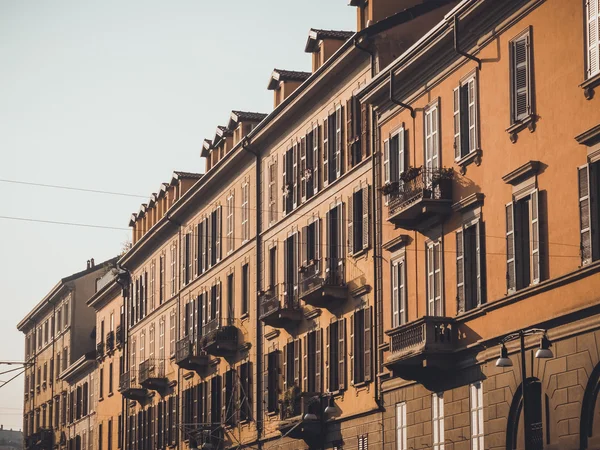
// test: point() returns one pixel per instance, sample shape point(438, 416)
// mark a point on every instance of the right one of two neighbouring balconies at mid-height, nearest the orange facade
point(324, 290)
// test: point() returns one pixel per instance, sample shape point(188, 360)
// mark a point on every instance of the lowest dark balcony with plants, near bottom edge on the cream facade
point(294, 406)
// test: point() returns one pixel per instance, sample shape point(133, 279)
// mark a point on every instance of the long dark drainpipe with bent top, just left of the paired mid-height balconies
point(258, 270)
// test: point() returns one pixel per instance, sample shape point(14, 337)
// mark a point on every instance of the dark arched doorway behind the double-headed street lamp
point(516, 426)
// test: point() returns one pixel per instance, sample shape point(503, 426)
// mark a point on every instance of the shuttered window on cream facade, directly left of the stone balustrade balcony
point(361, 346)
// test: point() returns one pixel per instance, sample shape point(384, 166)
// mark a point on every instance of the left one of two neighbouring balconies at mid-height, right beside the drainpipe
point(279, 306)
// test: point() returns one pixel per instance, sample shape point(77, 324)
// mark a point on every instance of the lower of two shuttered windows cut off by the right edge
point(589, 223)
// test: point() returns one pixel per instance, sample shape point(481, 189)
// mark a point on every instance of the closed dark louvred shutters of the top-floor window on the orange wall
point(521, 78)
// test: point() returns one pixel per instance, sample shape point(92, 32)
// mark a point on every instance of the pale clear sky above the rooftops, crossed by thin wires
point(114, 95)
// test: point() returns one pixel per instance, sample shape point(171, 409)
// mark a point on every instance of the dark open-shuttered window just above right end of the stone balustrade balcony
point(469, 266)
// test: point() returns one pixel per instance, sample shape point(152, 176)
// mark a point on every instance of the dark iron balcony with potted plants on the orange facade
point(421, 200)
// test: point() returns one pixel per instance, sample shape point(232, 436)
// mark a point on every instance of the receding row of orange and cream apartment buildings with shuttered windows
point(350, 266)
